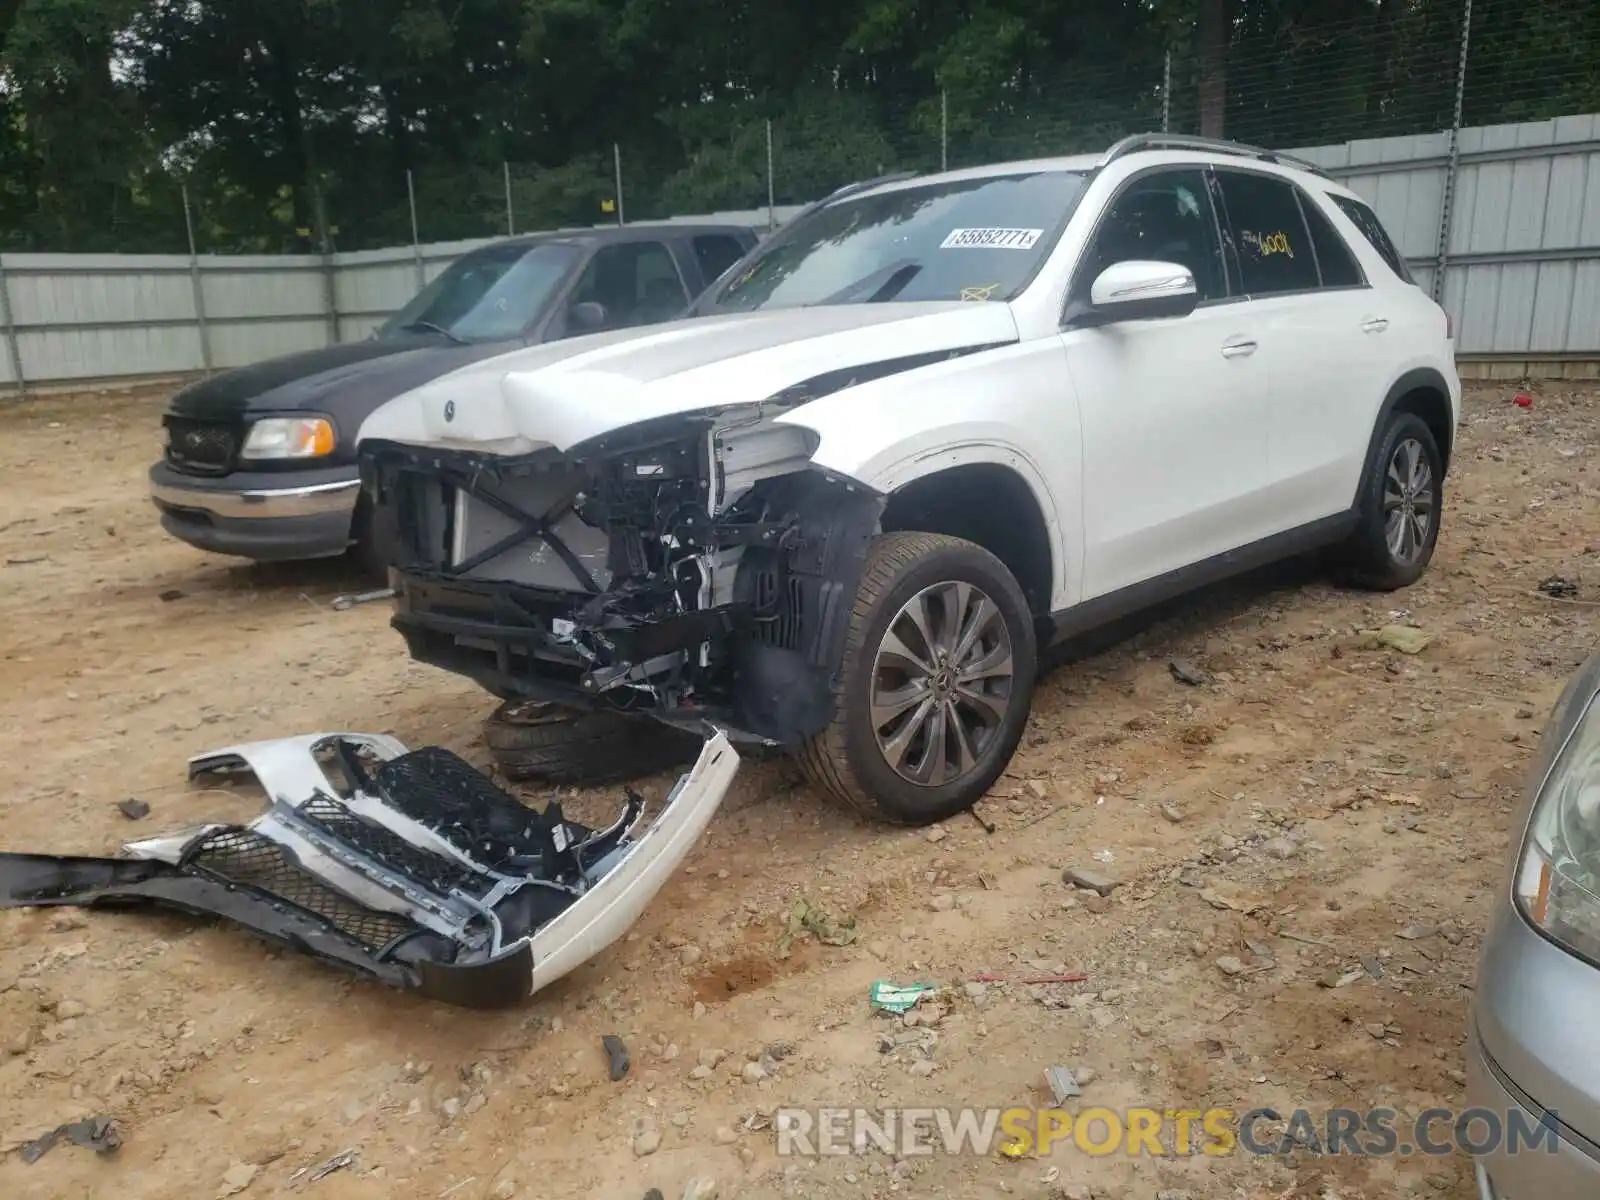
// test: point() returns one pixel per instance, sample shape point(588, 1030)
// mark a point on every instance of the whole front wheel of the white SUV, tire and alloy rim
point(937, 682)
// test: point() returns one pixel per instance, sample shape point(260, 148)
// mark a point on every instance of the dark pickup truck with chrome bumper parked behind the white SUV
point(262, 462)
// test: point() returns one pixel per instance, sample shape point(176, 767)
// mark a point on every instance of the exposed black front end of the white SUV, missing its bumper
point(695, 569)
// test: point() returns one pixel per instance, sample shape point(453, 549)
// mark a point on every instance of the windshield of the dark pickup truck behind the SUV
point(489, 295)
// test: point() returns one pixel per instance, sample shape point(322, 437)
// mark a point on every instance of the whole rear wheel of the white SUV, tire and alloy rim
point(1399, 510)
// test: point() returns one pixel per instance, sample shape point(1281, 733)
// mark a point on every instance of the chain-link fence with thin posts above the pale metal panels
point(1420, 68)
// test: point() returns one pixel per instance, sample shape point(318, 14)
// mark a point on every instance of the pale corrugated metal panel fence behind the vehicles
point(1511, 215)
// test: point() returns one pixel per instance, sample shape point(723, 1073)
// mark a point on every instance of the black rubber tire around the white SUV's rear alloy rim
point(1367, 559)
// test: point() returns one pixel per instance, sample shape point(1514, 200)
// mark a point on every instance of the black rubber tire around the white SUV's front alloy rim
point(846, 759)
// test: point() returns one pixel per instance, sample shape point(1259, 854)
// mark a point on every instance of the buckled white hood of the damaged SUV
point(567, 393)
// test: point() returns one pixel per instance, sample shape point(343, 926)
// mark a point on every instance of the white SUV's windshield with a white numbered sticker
point(970, 239)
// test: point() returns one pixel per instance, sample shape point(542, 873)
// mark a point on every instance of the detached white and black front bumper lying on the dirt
point(409, 868)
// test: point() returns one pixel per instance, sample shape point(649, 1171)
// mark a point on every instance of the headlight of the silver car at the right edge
point(1559, 871)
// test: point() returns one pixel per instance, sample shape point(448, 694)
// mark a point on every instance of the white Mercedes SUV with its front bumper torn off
point(929, 428)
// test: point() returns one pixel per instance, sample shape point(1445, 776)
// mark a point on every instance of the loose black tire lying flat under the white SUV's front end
point(554, 745)
